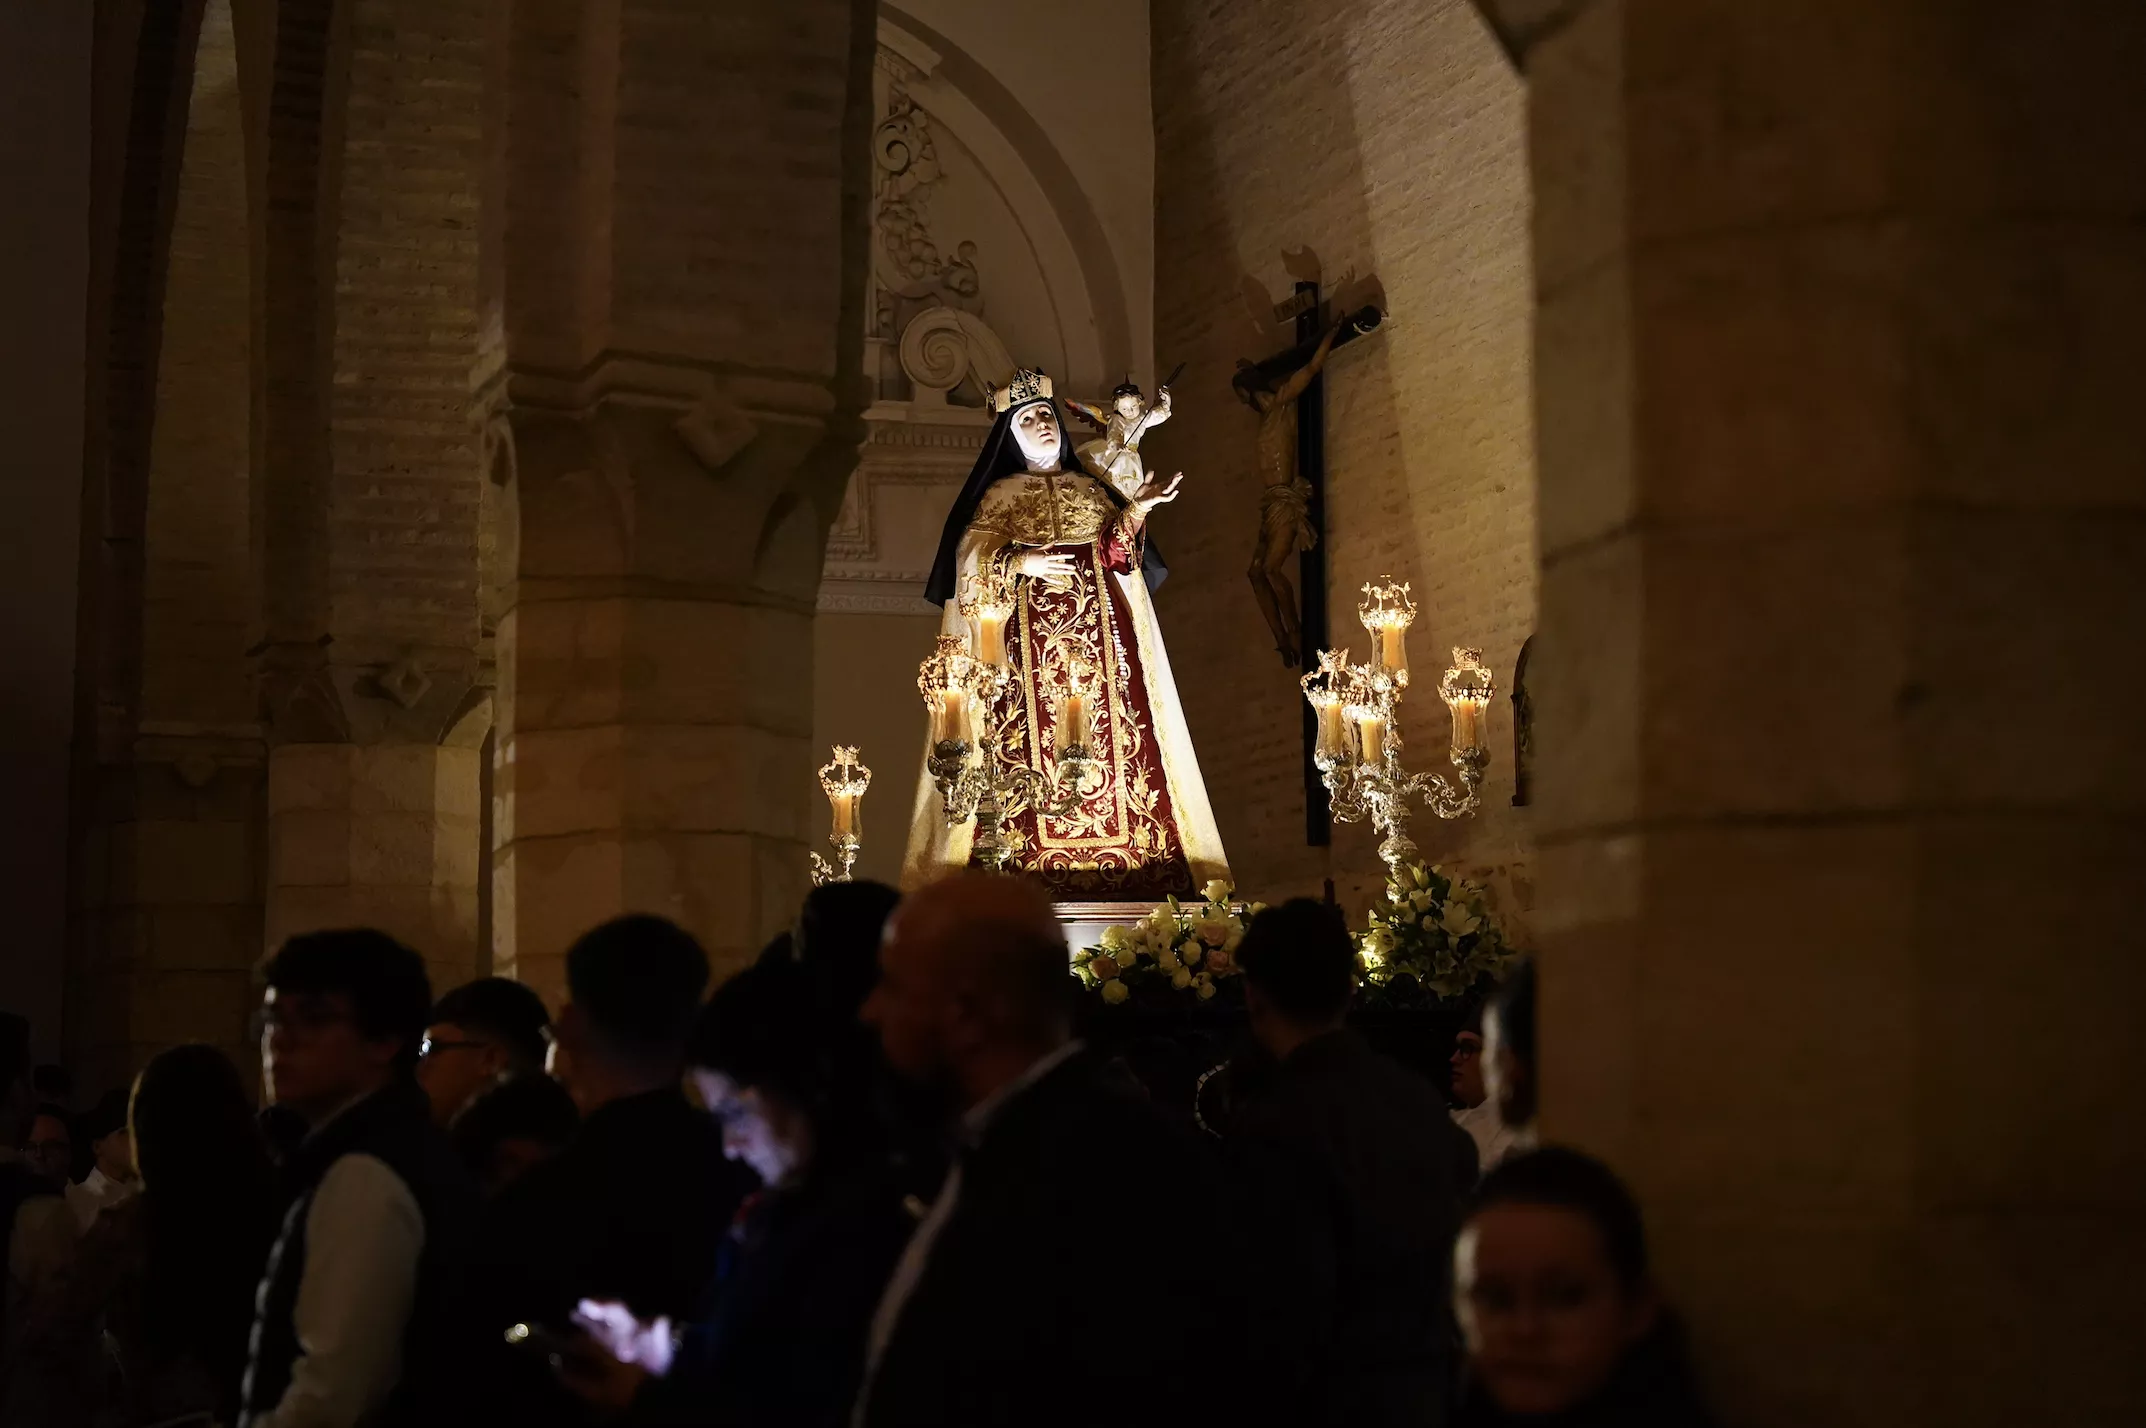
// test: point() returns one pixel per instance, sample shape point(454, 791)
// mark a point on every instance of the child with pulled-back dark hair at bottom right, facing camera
point(1555, 1298)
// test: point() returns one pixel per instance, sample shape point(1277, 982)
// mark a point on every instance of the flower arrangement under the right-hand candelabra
point(1432, 937)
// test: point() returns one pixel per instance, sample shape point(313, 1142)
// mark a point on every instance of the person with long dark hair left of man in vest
point(171, 1274)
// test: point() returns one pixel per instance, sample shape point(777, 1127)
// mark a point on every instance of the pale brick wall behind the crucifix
point(1390, 139)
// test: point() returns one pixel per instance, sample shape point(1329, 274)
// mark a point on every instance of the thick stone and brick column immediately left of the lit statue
point(686, 321)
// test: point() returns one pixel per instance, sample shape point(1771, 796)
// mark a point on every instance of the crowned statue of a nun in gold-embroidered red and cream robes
point(1046, 570)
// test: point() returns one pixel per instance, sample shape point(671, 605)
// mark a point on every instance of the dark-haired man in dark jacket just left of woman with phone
point(636, 1208)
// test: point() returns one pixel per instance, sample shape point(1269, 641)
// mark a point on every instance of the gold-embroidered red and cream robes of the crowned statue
point(1143, 826)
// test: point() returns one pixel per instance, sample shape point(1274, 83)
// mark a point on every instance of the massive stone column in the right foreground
point(1842, 315)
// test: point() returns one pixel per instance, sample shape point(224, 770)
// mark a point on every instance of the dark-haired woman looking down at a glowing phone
point(782, 1341)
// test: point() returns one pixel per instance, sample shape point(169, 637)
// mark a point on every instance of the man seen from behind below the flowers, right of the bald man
point(1364, 1174)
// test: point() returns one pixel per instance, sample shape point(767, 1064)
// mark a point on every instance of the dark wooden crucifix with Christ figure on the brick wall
point(1291, 398)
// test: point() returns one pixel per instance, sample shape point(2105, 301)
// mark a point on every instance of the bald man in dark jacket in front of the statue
point(1085, 1251)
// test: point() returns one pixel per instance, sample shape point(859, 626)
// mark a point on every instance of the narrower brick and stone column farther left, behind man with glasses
point(377, 667)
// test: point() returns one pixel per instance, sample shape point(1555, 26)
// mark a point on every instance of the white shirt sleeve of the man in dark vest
point(364, 1236)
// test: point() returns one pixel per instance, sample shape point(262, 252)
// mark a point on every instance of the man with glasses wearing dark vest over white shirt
point(377, 1208)
